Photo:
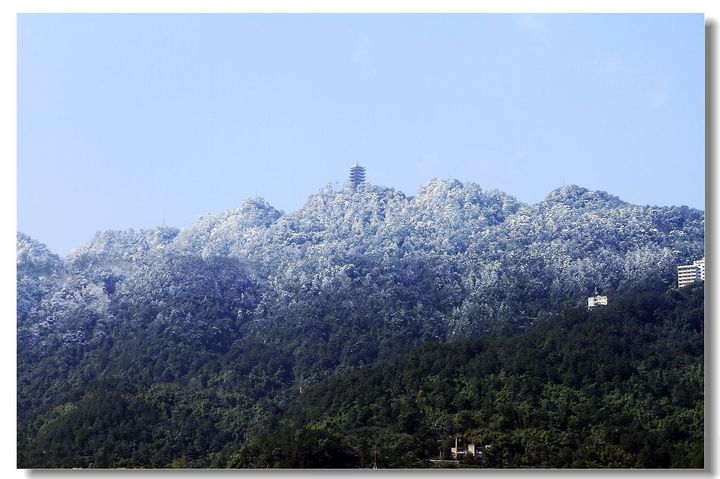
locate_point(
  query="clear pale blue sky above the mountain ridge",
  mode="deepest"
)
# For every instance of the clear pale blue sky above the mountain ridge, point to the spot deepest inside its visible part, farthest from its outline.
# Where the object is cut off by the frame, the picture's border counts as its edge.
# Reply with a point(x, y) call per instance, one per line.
point(124, 120)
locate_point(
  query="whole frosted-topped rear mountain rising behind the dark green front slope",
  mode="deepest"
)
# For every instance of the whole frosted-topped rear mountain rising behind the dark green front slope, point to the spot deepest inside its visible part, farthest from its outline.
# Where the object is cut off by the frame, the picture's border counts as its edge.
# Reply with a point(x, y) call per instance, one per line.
point(175, 346)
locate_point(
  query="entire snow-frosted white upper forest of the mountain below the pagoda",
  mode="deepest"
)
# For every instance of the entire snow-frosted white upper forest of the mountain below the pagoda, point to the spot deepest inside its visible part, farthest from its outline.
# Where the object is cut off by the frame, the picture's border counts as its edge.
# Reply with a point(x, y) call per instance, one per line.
point(468, 252)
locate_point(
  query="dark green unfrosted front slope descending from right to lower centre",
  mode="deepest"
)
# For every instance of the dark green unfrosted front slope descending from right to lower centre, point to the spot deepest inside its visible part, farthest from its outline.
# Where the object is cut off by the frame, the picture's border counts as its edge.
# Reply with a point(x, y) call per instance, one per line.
point(617, 387)
